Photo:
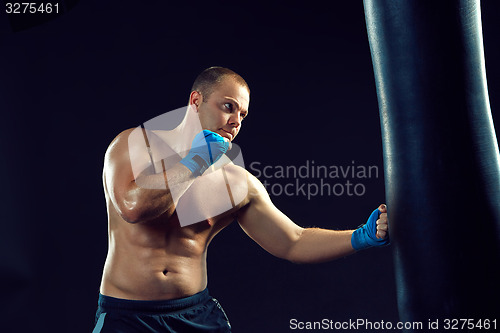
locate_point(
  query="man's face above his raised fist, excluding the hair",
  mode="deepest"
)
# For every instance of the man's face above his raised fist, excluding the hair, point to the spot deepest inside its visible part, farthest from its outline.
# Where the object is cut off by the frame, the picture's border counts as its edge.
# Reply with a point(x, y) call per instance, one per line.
point(224, 109)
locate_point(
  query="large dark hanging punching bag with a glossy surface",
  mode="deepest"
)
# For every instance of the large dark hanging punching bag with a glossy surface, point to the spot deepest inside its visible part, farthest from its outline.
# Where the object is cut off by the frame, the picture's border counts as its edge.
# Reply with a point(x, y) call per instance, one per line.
point(441, 158)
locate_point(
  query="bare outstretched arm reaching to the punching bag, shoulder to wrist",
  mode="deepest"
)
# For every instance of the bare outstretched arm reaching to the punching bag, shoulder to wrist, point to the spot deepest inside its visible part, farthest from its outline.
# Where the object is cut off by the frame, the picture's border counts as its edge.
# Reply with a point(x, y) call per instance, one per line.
point(280, 236)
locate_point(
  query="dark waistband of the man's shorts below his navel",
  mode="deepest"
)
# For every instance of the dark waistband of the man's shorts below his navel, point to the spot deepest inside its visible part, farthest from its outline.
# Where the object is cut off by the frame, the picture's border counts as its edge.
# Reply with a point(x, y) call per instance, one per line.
point(119, 304)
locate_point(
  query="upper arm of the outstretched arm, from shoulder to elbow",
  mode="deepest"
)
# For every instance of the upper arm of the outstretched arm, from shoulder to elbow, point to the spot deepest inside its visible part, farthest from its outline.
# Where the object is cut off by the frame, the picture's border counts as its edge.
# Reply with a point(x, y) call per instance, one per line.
point(266, 224)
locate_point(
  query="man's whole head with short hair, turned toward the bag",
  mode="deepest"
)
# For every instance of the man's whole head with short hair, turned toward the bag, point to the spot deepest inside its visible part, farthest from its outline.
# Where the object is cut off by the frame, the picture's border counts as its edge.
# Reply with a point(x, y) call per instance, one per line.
point(221, 98)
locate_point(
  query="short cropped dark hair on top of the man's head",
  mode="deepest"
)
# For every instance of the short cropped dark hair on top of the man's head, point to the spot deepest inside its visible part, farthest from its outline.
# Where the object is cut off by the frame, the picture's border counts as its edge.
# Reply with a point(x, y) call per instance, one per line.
point(211, 77)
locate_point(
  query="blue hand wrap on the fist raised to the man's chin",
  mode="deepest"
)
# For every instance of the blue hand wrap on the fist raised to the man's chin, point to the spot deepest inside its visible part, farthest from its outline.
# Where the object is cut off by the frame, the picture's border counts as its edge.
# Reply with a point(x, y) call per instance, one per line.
point(206, 149)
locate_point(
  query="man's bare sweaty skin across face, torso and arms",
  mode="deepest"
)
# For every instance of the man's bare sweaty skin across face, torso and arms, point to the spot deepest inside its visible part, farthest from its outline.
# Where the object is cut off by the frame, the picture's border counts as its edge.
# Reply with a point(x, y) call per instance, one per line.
point(150, 257)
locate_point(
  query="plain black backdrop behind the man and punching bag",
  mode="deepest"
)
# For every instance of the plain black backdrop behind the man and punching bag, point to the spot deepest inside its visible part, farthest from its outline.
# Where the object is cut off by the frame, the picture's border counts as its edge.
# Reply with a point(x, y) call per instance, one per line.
point(71, 84)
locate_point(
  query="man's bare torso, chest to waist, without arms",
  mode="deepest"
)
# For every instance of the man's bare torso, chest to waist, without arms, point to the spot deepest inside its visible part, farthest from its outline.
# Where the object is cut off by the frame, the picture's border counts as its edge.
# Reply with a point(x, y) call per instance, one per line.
point(159, 259)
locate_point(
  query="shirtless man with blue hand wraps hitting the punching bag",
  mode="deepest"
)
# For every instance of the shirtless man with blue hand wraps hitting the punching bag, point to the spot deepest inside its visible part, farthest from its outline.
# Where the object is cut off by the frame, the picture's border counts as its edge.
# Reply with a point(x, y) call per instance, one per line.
point(155, 275)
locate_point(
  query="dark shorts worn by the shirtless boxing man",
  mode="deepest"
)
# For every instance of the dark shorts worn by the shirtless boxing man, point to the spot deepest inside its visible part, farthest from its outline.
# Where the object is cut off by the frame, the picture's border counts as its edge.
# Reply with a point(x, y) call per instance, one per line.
point(197, 313)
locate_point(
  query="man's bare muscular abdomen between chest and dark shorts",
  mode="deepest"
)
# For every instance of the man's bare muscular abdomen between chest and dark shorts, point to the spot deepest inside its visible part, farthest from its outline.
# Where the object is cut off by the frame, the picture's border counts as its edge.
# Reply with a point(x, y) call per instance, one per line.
point(157, 260)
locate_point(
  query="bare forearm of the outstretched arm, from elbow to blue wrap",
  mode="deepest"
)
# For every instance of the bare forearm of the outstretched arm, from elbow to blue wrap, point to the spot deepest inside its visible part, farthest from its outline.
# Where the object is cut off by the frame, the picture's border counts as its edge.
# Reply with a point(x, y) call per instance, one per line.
point(319, 245)
